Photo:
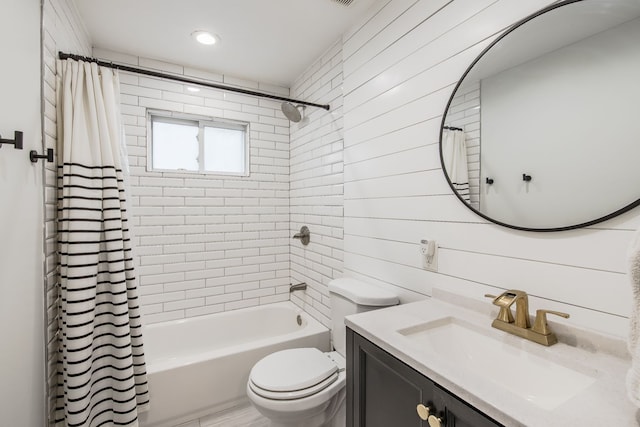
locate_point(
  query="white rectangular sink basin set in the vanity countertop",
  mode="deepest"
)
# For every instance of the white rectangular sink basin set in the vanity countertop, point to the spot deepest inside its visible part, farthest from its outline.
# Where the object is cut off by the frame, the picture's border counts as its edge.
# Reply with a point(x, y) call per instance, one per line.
point(539, 380)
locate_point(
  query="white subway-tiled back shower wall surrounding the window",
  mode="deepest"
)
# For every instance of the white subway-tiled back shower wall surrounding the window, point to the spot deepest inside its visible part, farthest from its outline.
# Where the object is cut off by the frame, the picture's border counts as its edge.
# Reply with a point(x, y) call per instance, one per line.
point(207, 243)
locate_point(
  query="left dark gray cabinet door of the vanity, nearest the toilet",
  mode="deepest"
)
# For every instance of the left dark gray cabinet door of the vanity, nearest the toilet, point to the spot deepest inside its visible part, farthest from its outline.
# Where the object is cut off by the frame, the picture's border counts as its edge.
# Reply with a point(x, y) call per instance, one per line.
point(381, 390)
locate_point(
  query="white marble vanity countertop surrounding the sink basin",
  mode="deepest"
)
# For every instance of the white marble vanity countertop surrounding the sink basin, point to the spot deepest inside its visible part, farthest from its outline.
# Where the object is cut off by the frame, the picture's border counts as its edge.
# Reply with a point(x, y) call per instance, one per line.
point(604, 358)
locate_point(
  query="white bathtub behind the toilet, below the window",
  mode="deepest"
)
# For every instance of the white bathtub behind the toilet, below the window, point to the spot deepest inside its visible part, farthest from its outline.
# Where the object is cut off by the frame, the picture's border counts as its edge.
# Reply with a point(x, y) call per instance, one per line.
point(201, 365)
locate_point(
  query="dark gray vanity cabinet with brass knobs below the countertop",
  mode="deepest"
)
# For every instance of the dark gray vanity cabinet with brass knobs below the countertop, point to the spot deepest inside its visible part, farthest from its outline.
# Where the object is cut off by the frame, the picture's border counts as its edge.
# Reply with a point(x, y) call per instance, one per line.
point(383, 391)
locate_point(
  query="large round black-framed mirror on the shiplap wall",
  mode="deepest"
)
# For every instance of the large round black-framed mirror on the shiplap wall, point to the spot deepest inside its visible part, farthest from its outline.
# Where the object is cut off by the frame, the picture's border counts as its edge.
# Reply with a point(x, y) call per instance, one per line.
point(539, 134)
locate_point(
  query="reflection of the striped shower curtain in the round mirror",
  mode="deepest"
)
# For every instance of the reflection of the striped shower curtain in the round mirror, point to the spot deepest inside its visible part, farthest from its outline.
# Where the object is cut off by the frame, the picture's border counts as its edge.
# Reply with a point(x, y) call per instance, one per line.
point(454, 154)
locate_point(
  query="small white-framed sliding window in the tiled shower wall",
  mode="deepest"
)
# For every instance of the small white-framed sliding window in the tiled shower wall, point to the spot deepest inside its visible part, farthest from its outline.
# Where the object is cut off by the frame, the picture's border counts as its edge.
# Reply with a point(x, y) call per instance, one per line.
point(204, 146)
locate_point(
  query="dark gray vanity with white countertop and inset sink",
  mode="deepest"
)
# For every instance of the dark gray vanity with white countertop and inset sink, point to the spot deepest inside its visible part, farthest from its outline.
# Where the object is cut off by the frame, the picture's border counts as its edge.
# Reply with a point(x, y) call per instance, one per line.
point(446, 358)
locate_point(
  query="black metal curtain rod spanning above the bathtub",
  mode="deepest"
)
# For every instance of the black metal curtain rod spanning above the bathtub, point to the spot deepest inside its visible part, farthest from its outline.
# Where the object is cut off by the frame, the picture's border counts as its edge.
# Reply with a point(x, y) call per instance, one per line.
point(151, 73)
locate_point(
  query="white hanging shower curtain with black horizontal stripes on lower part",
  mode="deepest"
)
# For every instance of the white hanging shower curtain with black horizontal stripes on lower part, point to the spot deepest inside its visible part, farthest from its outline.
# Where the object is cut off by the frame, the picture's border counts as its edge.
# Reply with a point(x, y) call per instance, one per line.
point(101, 370)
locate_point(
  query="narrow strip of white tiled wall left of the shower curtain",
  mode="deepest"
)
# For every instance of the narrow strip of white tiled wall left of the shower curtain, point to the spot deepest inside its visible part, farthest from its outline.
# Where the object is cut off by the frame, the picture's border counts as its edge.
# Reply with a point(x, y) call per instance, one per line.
point(62, 31)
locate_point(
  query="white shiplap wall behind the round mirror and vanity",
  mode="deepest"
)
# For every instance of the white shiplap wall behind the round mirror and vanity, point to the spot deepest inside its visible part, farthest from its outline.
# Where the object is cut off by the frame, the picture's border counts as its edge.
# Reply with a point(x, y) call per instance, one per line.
point(400, 67)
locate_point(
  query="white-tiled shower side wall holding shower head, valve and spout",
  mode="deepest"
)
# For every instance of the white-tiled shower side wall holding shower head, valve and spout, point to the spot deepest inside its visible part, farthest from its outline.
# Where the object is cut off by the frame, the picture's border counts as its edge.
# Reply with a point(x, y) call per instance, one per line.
point(316, 176)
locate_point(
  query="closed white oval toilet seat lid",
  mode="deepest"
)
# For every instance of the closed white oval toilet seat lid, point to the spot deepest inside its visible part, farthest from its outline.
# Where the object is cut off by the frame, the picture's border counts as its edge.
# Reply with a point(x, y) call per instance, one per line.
point(294, 369)
